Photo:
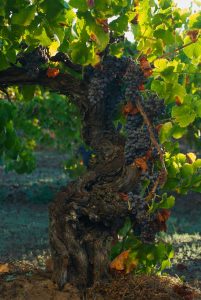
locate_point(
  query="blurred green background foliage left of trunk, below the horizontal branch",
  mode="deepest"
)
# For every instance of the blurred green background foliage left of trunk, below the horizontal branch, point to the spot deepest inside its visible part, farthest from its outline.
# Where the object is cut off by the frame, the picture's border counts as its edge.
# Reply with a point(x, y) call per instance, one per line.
point(32, 122)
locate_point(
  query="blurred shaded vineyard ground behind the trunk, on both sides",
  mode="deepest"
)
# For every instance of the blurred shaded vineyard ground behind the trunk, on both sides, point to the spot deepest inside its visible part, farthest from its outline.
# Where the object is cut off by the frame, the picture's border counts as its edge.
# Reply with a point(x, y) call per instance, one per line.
point(24, 203)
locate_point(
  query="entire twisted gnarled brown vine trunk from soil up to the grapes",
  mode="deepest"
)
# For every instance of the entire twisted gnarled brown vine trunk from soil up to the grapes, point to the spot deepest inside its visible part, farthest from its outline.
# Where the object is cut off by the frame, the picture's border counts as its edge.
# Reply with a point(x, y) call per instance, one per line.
point(86, 215)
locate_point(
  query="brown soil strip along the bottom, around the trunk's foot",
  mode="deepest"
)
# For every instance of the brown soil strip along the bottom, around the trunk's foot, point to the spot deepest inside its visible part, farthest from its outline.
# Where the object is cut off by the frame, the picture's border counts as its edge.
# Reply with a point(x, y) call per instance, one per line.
point(40, 287)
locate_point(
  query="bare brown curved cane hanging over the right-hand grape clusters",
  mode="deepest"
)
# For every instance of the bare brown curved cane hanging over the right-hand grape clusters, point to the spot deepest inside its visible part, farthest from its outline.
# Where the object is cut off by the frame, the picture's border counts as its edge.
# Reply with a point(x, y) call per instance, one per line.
point(163, 173)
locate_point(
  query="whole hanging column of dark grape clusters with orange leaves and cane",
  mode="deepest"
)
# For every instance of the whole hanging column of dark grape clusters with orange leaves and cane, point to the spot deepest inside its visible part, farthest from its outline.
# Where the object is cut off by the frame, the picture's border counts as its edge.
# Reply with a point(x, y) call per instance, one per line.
point(117, 81)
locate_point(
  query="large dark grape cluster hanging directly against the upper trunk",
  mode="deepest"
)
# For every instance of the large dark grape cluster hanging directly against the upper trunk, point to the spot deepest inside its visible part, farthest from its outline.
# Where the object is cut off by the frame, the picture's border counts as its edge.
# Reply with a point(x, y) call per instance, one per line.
point(105, 92)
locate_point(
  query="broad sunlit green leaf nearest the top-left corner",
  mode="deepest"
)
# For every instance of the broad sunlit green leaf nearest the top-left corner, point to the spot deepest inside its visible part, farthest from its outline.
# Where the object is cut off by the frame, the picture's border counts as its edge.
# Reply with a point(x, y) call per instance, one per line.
point(25, 16)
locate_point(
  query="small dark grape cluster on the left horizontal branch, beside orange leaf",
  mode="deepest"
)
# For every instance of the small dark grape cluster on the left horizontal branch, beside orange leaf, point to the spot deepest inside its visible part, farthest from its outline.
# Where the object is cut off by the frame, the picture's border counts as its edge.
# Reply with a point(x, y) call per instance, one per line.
point(33, 60)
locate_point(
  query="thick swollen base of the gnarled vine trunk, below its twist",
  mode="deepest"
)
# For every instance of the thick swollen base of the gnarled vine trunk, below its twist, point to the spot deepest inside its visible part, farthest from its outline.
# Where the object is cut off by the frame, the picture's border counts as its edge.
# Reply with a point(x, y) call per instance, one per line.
point(82, 229)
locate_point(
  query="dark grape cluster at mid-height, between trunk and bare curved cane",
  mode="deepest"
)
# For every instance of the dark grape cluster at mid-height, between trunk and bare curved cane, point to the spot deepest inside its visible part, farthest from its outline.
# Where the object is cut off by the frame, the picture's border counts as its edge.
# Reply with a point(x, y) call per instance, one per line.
point(138, 140)
